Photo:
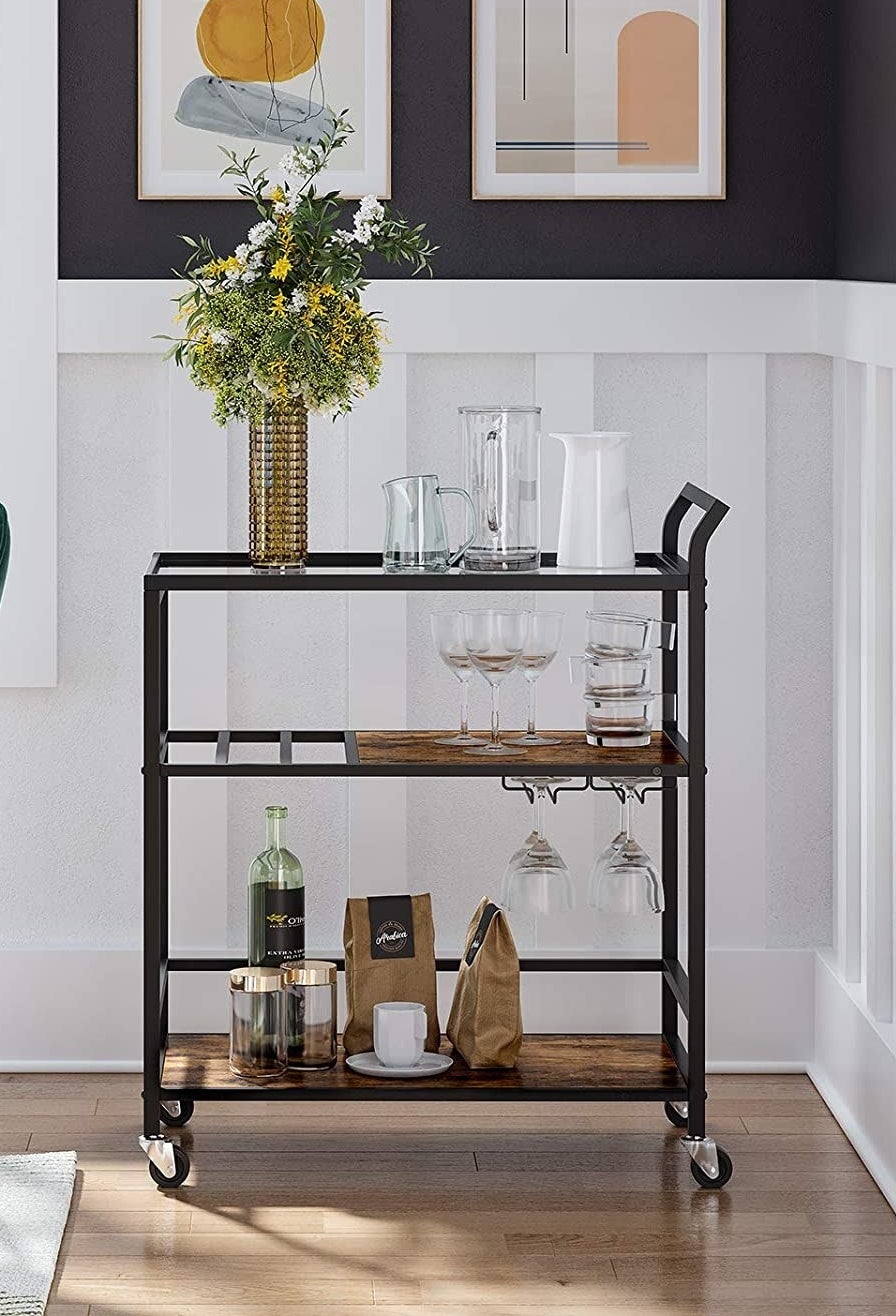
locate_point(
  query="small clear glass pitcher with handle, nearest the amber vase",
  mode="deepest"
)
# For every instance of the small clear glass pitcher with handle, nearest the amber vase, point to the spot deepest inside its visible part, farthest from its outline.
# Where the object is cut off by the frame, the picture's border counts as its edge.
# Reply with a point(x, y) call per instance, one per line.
point(416, 531)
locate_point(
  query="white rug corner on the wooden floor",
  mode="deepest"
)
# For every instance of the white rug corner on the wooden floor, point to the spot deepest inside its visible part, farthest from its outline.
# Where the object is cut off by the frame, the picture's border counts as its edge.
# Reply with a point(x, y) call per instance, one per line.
point(35, 1200)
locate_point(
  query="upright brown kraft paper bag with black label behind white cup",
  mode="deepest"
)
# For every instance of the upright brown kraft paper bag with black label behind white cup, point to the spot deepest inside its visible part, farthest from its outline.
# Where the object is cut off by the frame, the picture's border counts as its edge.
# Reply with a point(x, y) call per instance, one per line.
point(390, 955)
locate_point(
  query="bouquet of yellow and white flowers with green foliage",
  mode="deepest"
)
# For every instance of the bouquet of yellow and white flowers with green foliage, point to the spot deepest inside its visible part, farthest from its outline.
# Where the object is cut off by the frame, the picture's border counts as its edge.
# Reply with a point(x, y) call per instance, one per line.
point(280, 322)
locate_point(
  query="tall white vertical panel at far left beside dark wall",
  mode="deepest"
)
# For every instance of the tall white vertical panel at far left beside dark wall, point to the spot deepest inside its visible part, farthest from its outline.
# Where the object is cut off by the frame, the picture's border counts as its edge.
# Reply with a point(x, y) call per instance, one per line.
point(28, 361)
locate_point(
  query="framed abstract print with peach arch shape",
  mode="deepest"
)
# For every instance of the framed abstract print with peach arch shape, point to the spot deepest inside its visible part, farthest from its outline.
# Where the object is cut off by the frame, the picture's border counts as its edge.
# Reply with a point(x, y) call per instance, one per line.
point(582, 99)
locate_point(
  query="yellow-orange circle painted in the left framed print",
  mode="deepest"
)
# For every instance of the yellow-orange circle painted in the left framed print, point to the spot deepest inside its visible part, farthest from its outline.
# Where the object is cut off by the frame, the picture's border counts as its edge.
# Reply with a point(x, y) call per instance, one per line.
point(260, 40)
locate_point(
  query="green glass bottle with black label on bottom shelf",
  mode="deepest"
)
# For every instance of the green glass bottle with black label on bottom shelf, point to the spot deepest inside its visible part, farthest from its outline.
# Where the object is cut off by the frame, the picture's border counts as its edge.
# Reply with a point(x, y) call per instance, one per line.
point(277, 898)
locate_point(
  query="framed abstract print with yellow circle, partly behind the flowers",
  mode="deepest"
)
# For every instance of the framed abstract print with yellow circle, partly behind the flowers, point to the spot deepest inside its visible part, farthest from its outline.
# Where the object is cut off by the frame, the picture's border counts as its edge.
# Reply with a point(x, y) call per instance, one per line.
point(262, 74)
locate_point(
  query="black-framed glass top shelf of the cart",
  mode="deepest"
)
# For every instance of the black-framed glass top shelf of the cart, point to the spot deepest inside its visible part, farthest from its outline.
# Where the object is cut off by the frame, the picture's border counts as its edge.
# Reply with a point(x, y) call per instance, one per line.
point(362, 572)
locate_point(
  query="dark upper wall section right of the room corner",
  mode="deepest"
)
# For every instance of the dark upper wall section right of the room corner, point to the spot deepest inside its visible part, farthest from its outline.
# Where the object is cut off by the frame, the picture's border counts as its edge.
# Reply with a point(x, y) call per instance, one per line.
point(866, 140)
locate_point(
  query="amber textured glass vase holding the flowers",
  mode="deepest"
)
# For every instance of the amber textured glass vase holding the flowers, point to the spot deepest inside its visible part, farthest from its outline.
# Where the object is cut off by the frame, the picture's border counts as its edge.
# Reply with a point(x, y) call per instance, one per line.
point(278, 488)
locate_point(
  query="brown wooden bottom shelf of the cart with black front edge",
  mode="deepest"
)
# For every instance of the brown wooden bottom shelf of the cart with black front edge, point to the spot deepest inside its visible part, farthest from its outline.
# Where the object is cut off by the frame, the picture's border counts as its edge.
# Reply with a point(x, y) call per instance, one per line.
point(614, 1068)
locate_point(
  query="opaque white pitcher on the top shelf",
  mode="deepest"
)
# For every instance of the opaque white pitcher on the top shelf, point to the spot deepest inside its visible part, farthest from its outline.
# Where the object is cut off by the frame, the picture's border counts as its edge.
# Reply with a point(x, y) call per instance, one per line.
point(595, 514)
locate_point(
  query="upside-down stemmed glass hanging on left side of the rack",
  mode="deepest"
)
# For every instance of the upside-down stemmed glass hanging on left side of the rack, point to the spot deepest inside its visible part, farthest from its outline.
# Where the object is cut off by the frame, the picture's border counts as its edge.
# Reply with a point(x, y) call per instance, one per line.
point(537, 880)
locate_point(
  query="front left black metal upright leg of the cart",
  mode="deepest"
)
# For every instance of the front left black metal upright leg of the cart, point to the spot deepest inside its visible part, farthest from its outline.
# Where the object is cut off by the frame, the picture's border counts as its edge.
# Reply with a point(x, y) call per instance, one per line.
point(155, 956)
